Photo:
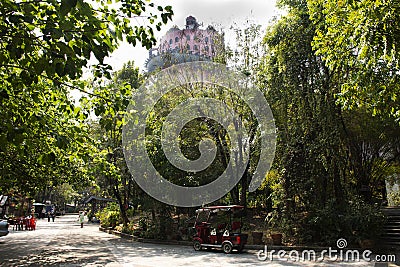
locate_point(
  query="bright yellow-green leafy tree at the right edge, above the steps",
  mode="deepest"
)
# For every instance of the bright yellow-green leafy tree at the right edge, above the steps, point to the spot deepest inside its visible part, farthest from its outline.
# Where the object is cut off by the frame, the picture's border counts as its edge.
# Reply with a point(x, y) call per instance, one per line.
point(359, 40)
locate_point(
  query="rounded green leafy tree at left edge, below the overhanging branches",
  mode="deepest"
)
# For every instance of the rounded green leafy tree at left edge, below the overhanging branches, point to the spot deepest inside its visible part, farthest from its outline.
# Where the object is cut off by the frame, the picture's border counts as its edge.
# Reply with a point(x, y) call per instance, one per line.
point(42, 140)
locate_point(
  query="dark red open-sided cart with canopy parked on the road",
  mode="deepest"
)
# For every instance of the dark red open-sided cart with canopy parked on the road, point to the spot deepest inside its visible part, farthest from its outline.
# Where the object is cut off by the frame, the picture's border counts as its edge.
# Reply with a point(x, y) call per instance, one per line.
point(219, 227)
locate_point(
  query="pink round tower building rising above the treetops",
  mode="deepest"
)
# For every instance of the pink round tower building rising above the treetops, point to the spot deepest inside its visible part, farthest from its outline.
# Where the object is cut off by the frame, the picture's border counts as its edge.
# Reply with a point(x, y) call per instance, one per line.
point(186, 45)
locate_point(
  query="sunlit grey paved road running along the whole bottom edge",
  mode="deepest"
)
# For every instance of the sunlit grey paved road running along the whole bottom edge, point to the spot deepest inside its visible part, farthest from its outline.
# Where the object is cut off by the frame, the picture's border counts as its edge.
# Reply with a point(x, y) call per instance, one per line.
point(64, 243)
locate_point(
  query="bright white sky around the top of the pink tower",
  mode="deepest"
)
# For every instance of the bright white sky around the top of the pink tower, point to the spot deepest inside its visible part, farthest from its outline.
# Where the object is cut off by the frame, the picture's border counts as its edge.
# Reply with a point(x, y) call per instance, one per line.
point(222, 13)
